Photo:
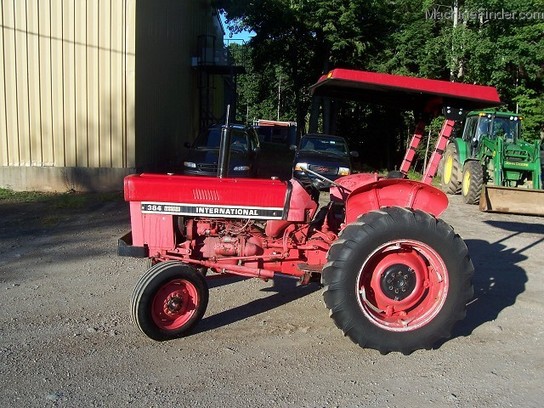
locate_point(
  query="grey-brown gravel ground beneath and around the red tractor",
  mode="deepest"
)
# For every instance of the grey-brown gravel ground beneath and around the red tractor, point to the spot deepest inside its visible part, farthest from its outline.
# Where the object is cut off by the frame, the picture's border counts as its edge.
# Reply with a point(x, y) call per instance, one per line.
point(67, 340)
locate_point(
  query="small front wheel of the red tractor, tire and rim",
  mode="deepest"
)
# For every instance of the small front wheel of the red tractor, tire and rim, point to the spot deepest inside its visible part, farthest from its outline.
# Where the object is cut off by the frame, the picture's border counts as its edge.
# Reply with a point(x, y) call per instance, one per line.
point(169, 299)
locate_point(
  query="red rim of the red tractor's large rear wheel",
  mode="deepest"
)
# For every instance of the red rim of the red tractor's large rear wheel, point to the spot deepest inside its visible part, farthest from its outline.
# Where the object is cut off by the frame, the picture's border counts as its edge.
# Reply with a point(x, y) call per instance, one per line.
point(402, 285)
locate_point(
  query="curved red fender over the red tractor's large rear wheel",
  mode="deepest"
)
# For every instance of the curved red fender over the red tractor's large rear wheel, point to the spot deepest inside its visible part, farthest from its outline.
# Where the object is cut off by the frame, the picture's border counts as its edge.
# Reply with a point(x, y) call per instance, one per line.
point(395, 192)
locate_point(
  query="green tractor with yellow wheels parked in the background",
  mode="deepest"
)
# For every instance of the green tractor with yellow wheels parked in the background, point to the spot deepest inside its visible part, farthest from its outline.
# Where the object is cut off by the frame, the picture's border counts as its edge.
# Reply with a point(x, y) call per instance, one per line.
point(491, 154)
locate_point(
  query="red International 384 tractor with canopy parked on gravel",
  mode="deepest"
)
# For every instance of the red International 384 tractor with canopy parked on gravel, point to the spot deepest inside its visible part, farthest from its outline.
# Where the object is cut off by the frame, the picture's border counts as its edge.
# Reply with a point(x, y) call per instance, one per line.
point(395, 277)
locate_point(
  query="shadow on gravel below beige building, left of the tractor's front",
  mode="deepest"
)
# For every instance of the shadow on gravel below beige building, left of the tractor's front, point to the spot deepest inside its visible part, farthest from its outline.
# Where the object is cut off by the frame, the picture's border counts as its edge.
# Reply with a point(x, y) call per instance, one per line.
point(56, 229)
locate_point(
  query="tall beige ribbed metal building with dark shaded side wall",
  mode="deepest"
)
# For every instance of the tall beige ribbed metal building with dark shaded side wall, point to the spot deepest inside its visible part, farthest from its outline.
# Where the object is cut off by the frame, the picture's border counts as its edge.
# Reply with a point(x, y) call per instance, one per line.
point(92, 90)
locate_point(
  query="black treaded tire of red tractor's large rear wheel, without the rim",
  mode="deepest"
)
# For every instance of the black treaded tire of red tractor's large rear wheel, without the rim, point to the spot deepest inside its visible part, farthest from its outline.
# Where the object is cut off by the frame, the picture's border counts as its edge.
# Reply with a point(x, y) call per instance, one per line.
point(418, 227)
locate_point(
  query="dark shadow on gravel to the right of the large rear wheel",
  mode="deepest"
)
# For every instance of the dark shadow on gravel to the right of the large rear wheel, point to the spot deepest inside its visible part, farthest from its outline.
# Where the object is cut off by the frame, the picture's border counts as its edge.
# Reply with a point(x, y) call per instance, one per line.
point(497, 278)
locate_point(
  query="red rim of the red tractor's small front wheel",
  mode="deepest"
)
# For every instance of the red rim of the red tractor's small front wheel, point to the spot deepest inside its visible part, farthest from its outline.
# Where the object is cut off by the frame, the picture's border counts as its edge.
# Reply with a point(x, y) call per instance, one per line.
point(174, 304)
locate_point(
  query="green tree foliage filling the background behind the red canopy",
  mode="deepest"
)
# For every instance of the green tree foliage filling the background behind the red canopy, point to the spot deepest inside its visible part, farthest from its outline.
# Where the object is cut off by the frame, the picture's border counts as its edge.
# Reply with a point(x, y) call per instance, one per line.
point(493, 42)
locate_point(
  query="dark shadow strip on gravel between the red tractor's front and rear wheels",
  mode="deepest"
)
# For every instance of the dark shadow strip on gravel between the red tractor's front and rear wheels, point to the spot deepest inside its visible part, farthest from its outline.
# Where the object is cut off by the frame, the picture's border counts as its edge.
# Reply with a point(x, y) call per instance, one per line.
point(286, 291)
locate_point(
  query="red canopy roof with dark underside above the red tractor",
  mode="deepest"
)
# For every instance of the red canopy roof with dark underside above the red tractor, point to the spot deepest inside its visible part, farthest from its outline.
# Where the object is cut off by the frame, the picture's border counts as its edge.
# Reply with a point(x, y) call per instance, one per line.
point(404, 92)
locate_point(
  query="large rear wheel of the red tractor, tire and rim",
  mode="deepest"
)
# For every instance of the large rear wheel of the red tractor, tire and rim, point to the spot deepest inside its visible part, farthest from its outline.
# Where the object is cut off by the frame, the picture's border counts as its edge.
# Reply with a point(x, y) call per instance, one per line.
point(397, 280)
